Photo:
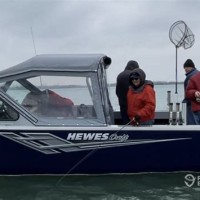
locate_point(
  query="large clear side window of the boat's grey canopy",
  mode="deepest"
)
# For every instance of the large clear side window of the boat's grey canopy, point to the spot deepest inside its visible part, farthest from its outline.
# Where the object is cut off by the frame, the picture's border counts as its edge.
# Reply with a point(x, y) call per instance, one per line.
point(57, 97)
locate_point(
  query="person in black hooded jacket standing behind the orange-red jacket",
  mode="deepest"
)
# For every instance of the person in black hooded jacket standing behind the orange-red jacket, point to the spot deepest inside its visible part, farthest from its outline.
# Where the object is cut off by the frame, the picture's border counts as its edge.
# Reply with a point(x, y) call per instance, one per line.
point(122, 87)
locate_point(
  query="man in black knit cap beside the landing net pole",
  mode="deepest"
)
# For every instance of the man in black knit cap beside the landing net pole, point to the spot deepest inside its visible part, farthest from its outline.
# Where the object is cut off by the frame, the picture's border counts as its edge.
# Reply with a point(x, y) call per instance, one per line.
point(190, 70)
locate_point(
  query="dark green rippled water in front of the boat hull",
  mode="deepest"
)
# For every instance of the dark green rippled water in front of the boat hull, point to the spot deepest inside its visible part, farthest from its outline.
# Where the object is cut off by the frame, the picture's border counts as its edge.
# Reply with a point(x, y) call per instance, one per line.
point(168, 186)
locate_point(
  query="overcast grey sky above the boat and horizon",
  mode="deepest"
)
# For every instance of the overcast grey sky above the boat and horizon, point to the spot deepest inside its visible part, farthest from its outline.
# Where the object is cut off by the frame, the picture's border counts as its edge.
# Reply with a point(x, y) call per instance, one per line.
point(123, 29)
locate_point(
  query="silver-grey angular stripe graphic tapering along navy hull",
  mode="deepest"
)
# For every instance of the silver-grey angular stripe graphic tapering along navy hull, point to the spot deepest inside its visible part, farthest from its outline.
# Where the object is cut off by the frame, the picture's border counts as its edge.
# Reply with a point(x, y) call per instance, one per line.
point(48, 143)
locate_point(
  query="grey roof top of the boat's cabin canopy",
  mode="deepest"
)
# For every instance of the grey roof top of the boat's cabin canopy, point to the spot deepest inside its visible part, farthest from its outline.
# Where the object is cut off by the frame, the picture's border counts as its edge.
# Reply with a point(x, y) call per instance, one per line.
point(55, 62)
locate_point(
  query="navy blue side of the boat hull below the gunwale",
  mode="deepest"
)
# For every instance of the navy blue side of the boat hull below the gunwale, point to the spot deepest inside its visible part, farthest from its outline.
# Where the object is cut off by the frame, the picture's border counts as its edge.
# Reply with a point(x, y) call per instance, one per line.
point(149, 151)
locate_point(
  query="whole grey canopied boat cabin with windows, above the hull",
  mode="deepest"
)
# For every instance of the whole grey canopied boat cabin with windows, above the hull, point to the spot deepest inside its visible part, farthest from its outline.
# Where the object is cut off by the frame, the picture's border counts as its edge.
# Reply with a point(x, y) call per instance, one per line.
point(63, 90)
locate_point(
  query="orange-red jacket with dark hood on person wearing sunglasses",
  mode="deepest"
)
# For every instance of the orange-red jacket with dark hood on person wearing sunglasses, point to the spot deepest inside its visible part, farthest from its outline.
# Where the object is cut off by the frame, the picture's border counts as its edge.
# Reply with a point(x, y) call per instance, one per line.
point(141, 100)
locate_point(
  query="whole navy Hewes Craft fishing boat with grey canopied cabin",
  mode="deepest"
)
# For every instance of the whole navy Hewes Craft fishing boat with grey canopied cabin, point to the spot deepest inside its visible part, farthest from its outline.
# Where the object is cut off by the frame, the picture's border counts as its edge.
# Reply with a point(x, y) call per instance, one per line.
point(56, 117)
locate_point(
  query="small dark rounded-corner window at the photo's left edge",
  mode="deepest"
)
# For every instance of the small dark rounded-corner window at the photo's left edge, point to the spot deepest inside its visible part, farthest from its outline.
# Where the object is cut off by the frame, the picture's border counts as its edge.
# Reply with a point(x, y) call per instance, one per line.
point(7, 113)
